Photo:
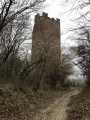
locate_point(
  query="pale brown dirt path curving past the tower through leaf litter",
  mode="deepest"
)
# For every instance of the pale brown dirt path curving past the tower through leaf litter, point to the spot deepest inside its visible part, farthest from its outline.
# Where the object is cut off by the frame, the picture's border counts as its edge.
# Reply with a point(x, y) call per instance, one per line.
point(56, 110)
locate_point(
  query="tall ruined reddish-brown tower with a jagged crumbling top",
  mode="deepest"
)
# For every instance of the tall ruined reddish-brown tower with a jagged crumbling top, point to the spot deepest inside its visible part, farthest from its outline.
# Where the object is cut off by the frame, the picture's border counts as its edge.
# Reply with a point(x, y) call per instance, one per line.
point(45, 44)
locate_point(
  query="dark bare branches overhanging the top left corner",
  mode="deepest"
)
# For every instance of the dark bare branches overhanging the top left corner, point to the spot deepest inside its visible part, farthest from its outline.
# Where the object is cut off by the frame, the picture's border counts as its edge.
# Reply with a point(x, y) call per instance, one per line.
point(10, 9)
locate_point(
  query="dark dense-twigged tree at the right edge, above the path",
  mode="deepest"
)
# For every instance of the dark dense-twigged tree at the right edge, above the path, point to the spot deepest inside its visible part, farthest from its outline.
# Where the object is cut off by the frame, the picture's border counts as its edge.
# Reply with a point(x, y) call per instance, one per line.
point(82, 51)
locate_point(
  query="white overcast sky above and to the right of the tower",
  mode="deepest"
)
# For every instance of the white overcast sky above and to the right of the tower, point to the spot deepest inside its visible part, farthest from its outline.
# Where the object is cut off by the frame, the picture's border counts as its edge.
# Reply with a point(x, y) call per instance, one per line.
point(57, 9)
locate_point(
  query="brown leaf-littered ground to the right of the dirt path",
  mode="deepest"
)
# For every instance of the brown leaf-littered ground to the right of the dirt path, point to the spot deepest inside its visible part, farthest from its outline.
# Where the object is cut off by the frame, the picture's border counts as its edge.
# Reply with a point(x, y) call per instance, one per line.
point(80, 105)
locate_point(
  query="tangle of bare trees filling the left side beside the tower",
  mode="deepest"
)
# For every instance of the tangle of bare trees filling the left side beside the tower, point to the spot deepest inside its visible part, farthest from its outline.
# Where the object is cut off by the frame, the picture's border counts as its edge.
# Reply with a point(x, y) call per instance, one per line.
point(14, 30)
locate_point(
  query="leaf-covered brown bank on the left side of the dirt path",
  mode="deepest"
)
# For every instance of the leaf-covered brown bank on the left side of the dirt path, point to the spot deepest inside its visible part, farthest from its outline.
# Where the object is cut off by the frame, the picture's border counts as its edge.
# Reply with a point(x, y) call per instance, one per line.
point(17, 103)
